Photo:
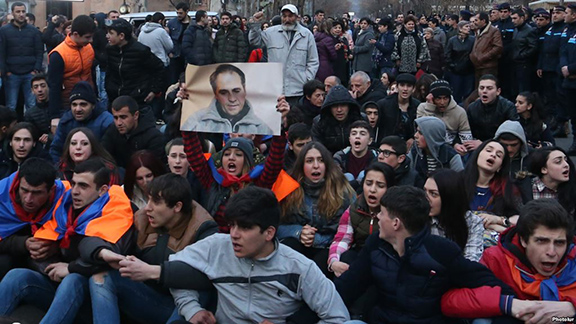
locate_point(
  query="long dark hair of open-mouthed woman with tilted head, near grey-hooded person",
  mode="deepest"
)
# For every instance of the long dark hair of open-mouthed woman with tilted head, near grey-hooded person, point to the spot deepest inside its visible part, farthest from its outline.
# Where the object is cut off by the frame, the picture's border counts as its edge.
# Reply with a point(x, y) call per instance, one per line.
point(501, 187)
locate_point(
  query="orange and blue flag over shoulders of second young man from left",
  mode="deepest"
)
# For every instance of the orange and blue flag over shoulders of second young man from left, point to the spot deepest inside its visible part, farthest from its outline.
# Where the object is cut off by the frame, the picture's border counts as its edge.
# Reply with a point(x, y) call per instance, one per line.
point(108, 217)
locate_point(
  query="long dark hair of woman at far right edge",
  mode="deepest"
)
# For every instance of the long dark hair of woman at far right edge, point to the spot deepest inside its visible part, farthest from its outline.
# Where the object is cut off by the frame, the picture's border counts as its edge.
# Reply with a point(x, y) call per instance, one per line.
point(566, 190)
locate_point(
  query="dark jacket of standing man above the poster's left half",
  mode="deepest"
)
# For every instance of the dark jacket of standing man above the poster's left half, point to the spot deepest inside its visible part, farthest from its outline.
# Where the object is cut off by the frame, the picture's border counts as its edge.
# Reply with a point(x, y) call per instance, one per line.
point(197, 45)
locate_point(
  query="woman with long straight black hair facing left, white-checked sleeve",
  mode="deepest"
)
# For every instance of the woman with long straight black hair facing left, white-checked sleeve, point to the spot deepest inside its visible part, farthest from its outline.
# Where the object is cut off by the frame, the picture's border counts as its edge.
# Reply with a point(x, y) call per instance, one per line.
point(450, 213)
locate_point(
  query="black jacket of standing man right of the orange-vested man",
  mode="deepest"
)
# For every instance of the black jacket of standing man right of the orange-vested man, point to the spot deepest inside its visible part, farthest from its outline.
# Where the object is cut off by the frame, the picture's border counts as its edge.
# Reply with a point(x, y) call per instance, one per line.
point(134, 71)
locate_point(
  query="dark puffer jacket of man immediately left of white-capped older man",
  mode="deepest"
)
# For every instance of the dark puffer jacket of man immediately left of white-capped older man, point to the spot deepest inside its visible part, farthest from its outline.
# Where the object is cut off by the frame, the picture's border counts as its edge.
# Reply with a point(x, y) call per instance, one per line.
point(230, 46)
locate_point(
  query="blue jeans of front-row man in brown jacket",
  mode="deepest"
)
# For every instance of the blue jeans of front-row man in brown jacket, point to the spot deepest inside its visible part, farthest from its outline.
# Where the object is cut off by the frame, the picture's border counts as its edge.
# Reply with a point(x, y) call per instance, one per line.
point(111, 292)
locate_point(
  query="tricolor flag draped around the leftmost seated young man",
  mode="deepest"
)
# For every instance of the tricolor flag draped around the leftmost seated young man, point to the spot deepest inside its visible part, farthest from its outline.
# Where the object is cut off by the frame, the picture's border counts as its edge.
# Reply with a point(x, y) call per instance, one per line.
point(13, 217)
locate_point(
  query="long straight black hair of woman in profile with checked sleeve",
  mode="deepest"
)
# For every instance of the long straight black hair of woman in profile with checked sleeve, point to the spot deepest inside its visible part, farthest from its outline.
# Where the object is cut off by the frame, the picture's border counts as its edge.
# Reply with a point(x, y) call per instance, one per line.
point(452, 217)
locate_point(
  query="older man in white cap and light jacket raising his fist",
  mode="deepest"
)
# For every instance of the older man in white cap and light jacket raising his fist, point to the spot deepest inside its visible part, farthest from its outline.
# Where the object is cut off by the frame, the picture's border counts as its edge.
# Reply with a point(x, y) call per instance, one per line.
point(285, 43)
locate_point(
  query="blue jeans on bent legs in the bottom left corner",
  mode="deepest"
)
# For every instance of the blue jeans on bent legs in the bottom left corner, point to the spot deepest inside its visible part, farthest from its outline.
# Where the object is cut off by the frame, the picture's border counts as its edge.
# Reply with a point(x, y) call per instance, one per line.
point(61, 301)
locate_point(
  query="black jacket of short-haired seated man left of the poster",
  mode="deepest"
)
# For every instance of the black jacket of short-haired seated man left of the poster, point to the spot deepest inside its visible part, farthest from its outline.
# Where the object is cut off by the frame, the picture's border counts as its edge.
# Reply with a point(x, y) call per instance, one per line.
point(144, 137)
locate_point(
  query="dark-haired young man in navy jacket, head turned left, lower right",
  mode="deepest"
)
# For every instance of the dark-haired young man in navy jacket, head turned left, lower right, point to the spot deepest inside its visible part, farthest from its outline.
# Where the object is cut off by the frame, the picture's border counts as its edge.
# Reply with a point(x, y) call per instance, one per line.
point(410, 267)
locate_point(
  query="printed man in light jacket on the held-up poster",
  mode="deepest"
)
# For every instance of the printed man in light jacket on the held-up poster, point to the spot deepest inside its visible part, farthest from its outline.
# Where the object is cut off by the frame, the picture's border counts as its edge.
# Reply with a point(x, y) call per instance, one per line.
point(229, 111)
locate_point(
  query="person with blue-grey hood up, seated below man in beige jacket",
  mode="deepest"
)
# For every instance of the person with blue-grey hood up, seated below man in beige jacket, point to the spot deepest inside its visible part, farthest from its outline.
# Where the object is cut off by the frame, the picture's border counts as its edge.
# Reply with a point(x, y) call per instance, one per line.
point(430, 152)
